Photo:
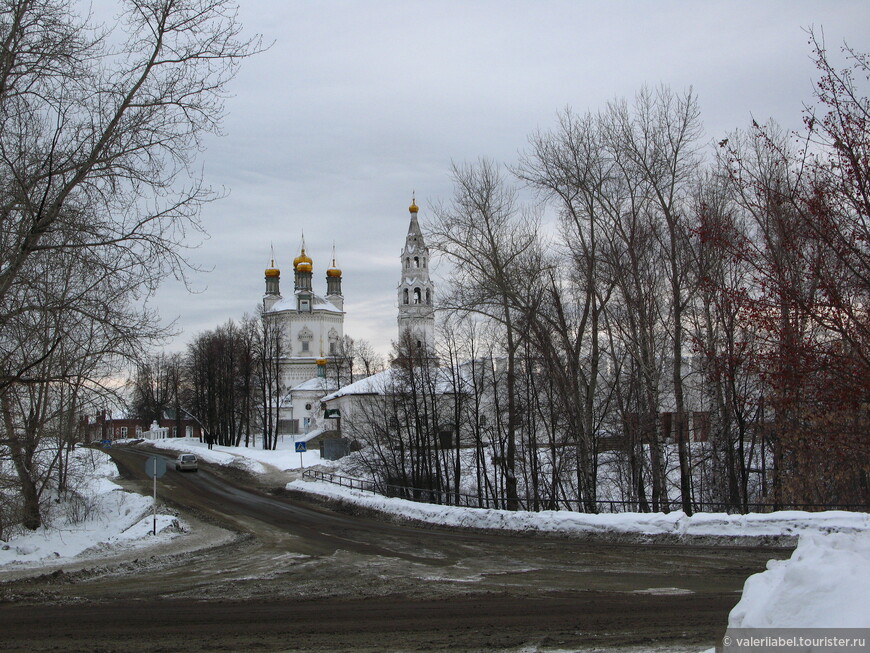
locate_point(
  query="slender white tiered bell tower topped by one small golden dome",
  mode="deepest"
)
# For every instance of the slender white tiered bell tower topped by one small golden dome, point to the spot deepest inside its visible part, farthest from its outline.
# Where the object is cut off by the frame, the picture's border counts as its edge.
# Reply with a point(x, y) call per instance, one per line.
point(416, 291)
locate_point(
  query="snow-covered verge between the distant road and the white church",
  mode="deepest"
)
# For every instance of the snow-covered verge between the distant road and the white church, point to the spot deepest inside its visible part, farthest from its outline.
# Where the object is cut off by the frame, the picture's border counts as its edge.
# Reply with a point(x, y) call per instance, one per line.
point(251, 459)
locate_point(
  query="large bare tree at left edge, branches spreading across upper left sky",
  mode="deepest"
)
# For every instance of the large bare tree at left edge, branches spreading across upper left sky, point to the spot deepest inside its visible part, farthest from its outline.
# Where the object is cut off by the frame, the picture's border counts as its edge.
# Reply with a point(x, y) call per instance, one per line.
point(97, 190)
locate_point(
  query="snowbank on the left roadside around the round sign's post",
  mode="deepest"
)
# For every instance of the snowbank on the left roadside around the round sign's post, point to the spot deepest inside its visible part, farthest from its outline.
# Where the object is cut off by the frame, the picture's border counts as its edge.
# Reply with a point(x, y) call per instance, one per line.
point(99, 517)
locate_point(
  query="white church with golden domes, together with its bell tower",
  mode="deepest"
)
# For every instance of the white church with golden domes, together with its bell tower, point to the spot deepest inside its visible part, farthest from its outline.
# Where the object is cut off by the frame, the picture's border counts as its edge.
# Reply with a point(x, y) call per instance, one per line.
point(312, 328)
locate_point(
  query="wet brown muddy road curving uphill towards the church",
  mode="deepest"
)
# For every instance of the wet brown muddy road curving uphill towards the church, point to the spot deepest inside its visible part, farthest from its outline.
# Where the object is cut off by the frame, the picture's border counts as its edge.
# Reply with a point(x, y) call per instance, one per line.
point(288, 574)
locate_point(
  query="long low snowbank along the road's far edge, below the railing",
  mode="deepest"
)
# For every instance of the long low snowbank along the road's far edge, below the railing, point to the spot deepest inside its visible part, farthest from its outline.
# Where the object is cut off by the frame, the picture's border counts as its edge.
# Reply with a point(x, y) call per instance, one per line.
point(564, 522)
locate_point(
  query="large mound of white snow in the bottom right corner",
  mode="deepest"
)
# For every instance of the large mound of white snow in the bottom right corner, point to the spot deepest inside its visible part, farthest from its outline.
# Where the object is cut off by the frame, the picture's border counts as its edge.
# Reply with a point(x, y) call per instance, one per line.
point(823, 585)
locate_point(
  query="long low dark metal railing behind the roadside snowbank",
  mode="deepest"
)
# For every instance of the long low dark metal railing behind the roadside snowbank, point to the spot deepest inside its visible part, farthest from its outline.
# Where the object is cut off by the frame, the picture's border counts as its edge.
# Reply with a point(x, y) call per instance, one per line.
point(443, 497)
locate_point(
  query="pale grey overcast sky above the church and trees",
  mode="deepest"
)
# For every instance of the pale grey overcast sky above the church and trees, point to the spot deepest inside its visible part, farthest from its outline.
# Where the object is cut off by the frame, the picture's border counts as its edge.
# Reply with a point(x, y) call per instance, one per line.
point(357, 104)
